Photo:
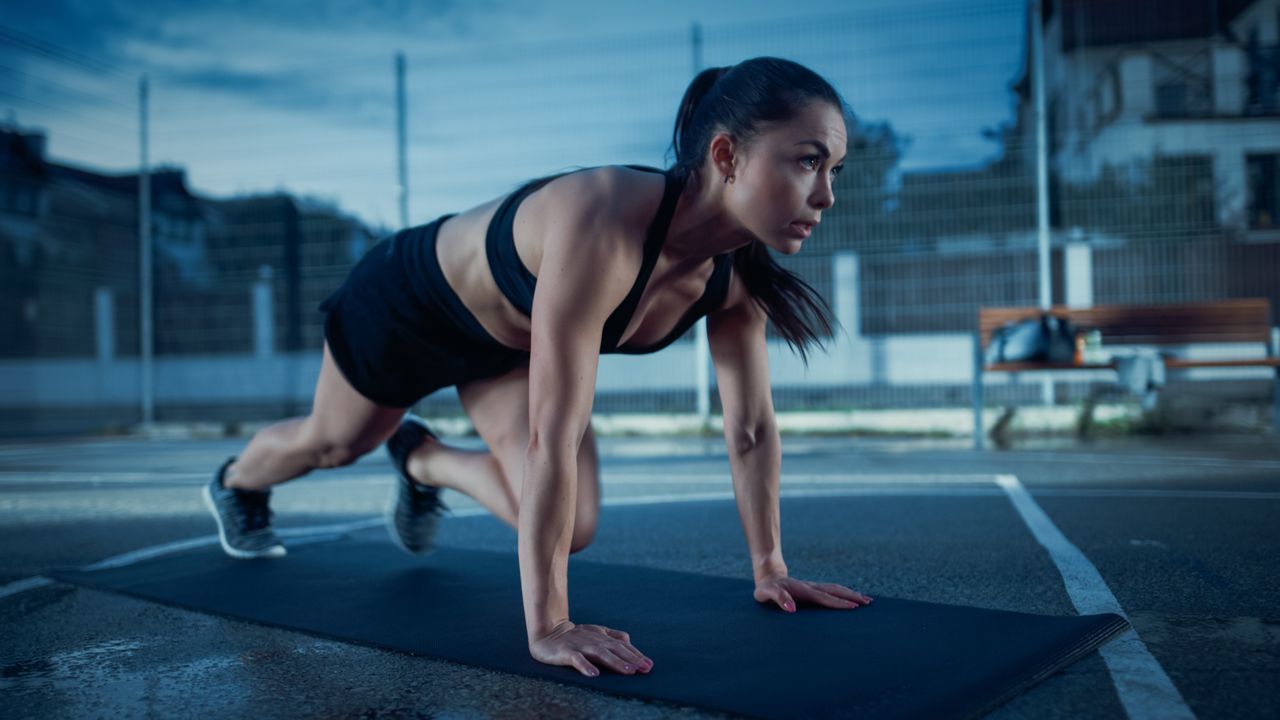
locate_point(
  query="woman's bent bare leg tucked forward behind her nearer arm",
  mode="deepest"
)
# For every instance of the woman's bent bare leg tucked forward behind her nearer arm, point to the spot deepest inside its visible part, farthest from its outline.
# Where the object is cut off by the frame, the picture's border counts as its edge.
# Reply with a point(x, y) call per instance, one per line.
point(499, 408)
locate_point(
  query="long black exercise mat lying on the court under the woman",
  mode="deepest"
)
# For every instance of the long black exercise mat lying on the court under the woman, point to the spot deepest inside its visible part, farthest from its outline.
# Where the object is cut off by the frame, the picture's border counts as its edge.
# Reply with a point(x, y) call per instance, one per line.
point(712, 645)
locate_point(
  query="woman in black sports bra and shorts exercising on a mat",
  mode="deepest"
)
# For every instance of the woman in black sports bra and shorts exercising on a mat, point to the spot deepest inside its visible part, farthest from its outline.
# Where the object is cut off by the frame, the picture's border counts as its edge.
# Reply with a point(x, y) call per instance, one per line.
point(624, 259)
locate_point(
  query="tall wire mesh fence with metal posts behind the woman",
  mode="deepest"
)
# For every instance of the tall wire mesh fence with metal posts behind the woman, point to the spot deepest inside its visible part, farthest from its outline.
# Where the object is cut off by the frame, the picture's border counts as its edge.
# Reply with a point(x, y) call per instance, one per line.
point(1160, 149)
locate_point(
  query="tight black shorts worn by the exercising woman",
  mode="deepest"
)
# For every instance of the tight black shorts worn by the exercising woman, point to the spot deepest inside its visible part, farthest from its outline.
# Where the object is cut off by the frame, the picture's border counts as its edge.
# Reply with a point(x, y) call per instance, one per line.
point(397, 330)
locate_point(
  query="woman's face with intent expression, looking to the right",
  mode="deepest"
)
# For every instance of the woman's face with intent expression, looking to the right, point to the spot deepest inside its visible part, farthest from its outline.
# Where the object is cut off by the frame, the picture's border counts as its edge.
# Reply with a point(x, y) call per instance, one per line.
point(783, 179)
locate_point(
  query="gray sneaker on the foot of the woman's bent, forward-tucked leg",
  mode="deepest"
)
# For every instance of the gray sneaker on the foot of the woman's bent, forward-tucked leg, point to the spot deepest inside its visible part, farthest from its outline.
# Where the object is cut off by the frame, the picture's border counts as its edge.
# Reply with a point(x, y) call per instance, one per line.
point(417, 509)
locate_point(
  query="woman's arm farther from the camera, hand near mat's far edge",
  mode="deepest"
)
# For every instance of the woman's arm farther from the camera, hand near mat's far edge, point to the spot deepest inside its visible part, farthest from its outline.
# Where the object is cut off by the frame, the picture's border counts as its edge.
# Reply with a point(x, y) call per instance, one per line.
point(740, 354)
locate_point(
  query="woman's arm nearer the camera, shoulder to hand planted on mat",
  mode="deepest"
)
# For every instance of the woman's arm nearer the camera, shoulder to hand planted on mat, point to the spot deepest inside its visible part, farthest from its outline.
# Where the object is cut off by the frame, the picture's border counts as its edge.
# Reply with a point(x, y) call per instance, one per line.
point(582, 280)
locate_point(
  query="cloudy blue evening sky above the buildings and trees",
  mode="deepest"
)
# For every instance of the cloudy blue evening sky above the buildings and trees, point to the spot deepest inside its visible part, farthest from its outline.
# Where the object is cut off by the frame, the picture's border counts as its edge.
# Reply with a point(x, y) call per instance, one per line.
point(300, 97)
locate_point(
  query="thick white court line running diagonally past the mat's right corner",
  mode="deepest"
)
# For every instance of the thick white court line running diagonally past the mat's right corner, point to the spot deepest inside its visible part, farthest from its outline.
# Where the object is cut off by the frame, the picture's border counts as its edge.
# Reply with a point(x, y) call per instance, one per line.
point(1145, 690)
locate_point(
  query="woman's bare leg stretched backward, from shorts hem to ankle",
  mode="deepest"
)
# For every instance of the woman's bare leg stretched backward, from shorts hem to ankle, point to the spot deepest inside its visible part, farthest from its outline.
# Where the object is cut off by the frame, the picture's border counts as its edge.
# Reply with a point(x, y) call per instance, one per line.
point(342, 427)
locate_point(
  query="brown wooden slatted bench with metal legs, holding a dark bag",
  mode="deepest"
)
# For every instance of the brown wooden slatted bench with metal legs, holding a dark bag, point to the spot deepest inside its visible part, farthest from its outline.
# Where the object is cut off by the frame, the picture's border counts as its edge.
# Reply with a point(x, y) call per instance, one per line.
point(1227, 321)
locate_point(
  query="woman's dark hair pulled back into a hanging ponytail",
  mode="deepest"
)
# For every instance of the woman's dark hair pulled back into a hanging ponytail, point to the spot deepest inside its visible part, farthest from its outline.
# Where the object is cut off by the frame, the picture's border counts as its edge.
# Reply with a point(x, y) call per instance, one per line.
point(742, 101)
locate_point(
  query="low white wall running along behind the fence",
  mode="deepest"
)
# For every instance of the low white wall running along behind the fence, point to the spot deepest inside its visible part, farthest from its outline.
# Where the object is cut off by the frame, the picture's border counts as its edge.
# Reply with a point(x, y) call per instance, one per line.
point(918, 359)
